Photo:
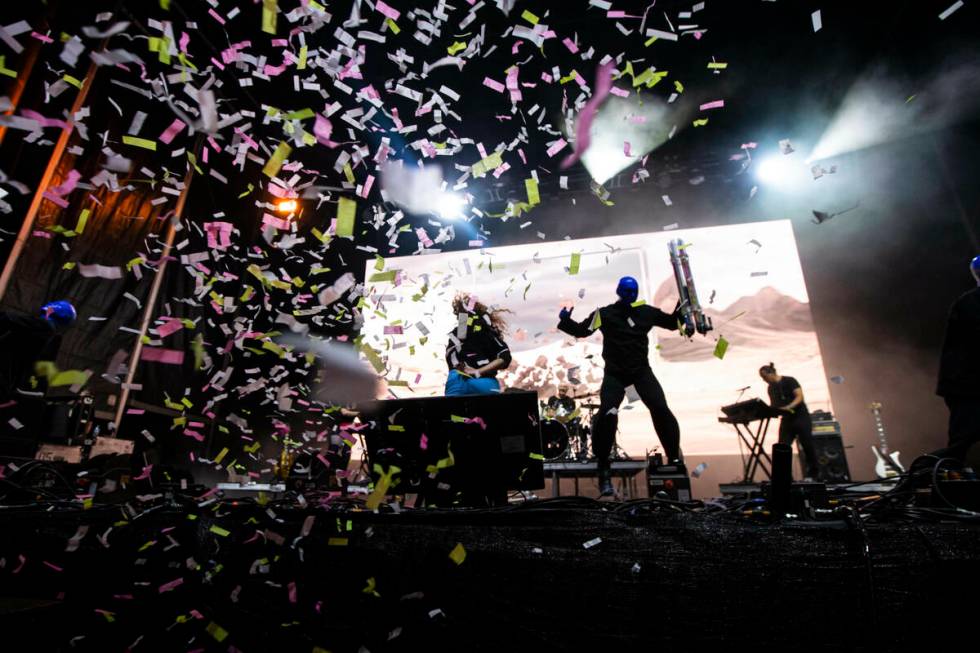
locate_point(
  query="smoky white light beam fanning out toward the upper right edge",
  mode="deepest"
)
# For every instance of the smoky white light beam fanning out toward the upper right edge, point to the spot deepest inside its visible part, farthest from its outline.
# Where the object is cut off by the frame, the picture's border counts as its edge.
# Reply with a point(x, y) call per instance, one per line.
point(882, 107)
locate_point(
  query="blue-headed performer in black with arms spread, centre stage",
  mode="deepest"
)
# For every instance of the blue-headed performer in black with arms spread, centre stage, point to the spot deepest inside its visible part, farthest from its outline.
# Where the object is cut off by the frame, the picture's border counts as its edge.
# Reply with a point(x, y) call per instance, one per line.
point(625, 350)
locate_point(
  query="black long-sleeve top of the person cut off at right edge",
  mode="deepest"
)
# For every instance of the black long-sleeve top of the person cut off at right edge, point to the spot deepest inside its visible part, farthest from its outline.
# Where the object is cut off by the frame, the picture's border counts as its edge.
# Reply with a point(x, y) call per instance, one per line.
point(959, 364)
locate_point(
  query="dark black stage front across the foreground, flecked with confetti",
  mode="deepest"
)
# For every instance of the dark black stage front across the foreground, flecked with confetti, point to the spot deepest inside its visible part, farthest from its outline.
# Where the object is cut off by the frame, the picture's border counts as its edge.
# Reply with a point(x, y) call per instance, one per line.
point(561, 574)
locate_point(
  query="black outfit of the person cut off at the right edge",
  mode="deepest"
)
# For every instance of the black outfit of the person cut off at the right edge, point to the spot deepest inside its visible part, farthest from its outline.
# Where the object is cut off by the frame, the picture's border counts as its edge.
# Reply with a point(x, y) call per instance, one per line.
point(959, 375)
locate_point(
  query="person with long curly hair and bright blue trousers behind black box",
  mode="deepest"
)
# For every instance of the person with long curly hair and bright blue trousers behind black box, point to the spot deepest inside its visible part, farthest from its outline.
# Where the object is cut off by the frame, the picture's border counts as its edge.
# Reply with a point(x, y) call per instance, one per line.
point(476, 349)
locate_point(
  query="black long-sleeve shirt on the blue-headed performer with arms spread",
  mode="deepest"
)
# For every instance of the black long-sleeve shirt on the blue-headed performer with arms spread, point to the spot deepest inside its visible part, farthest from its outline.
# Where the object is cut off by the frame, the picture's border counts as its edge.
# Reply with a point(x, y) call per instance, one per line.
point(624, 327)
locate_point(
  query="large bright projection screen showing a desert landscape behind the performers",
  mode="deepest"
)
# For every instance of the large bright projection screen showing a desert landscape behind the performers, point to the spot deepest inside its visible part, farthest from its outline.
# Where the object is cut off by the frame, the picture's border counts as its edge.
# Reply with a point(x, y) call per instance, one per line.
point(748, 277)
